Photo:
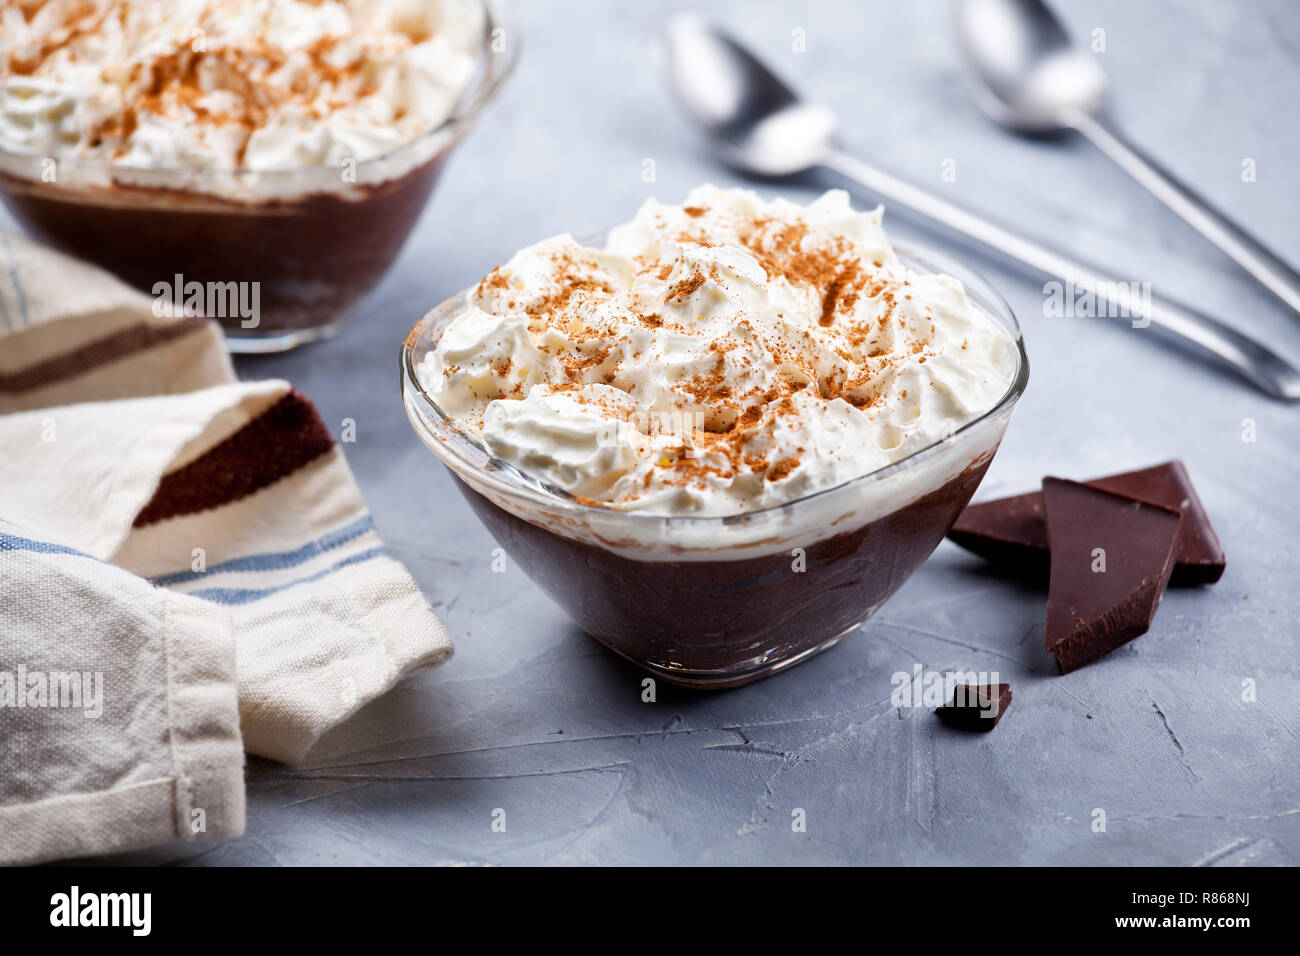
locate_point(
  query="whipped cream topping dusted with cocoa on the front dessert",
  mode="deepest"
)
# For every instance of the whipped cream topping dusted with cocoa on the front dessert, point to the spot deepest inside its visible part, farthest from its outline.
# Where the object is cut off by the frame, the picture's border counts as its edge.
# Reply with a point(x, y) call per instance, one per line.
point(718, 357)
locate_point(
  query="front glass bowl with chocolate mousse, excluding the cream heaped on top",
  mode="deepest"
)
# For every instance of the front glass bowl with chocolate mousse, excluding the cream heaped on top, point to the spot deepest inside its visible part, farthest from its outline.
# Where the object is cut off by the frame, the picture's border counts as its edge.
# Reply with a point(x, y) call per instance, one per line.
point(726, 600)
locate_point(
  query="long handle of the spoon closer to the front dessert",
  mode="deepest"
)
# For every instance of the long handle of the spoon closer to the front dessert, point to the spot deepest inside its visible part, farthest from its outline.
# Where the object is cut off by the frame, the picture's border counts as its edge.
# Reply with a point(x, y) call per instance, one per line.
point(1254, 362)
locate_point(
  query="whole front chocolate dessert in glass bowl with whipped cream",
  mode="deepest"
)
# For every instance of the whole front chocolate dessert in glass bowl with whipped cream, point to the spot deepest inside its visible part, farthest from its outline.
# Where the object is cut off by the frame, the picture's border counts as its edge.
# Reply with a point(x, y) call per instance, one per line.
point(723, 438)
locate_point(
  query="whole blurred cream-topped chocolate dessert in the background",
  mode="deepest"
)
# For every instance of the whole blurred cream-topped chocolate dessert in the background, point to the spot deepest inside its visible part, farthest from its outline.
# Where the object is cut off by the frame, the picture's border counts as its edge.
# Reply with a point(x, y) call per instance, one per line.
point(276, 150)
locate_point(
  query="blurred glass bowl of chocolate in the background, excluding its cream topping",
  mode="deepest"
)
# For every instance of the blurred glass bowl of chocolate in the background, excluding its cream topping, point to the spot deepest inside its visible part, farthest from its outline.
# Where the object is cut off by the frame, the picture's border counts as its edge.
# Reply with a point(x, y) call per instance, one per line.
point(280, 258)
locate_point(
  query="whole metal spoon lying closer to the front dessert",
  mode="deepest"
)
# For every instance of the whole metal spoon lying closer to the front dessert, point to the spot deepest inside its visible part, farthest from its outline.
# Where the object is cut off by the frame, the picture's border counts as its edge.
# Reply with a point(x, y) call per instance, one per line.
point(761, 127)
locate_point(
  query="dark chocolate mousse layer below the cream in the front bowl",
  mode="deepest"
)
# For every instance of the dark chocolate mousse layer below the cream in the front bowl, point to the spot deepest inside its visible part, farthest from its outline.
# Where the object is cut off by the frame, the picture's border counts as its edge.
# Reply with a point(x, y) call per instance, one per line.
point(725, 624)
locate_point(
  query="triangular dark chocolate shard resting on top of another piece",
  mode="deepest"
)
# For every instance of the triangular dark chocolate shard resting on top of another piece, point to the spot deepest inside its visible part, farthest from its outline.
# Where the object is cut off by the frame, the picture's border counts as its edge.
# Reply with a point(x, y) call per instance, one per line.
point(1112, 557)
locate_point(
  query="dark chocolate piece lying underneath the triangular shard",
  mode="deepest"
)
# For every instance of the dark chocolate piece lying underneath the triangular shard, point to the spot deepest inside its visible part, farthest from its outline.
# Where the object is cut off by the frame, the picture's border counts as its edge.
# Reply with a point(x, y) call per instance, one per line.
point(1011, 533)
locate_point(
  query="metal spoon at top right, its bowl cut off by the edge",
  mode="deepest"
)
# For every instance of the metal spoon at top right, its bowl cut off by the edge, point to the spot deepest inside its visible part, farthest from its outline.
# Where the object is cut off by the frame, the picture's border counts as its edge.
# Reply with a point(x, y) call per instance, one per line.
point(1030, 77)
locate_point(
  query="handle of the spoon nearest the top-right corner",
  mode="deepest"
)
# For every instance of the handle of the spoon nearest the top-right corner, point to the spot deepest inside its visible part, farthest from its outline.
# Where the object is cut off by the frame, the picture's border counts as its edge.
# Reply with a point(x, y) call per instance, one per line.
point(1273, 274)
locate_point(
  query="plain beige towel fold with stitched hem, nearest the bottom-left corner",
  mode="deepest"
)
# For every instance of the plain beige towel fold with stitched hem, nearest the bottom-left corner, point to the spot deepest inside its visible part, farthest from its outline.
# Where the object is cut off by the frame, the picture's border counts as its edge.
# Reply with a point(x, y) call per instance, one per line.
point(118, 704)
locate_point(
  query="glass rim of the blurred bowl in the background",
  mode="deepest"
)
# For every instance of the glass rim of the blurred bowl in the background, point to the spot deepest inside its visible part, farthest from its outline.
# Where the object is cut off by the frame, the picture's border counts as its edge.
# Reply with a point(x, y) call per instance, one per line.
point(491, 77)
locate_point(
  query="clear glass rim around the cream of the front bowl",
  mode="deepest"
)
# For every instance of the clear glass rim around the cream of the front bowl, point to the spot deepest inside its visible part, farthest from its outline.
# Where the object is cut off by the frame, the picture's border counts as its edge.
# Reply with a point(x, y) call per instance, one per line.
point(912, 254)
